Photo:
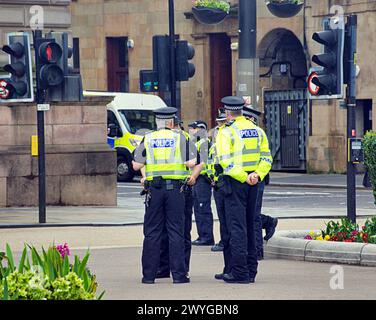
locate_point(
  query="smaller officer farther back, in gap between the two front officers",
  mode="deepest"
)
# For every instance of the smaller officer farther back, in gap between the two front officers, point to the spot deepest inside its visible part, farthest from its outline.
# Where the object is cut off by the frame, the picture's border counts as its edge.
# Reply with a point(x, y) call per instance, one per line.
point(202, 190)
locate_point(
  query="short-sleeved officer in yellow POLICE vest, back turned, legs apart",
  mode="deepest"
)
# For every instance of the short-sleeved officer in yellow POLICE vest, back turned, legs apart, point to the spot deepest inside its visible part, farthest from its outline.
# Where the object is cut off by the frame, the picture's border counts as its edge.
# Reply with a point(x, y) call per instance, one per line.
point(165, 155)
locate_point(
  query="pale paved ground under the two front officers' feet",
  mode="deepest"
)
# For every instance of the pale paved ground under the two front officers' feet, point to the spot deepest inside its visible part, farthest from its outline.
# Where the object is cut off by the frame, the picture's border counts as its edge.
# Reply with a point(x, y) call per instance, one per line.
point(119, 273)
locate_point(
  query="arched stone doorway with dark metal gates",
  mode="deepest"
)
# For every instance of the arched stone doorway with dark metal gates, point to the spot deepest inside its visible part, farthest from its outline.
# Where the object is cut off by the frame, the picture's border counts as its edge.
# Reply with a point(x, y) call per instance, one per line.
point(283, 74)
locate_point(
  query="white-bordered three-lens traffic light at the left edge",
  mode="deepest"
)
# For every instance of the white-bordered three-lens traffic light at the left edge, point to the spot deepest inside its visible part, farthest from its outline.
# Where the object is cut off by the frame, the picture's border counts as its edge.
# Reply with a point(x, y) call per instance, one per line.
point(18, 87)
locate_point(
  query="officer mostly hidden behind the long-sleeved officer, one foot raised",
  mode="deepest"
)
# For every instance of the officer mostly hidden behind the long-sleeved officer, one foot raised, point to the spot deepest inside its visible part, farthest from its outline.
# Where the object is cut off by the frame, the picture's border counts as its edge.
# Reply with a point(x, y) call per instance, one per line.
point(261, 221)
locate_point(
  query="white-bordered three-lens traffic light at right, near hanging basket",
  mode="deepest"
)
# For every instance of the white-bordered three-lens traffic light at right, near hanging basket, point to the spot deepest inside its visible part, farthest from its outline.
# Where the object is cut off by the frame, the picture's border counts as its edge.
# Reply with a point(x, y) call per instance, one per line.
point(329, 79)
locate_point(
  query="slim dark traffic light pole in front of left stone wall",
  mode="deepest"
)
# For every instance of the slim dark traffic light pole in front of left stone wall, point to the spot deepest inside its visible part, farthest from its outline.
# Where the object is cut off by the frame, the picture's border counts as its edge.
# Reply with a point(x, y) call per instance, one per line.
point(40, 99)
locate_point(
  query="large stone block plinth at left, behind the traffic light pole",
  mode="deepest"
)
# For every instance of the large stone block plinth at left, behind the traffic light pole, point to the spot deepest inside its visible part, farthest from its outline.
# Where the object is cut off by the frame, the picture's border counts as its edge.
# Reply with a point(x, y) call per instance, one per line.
point(80, 166)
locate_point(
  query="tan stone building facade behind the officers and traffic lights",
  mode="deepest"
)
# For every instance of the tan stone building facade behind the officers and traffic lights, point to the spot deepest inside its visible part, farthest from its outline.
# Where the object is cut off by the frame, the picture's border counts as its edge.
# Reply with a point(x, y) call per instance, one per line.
point(96, 22)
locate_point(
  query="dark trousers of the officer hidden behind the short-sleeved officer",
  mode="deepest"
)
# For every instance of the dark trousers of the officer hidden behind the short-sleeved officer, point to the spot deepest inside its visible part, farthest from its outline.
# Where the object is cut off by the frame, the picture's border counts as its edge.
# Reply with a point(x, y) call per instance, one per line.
point(164, 265)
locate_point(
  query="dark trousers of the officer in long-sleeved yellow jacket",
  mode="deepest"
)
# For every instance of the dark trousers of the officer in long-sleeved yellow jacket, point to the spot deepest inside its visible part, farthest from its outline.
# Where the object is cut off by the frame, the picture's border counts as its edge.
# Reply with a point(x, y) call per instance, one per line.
point(240, 217)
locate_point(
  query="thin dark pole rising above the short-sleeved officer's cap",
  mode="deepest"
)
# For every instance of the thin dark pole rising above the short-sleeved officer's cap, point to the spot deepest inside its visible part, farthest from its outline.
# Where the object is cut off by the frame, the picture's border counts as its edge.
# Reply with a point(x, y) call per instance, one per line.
point(171, 24)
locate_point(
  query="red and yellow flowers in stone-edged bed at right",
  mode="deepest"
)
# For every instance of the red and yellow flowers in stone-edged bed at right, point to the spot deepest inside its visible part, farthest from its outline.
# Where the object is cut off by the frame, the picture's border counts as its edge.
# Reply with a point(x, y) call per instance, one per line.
point(346, 231)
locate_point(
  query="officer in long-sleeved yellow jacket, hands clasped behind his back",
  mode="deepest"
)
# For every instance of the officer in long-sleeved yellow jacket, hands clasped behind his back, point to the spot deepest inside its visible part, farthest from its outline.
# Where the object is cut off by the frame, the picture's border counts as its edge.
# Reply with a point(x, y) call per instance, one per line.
point(242, 149)
